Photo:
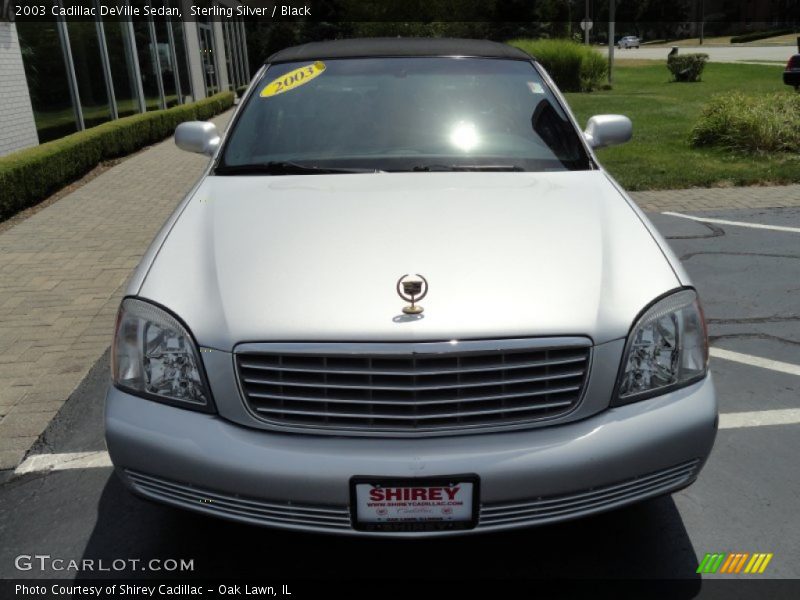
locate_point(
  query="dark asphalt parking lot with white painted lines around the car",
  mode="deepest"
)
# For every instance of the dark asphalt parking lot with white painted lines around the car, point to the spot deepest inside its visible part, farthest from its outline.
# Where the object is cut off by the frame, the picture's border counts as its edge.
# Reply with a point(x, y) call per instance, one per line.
point(744, 501)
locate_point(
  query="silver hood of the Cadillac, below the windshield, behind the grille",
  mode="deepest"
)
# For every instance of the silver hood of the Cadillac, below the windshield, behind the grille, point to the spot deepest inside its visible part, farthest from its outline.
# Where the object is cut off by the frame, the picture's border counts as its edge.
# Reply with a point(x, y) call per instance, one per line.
point(317, 258)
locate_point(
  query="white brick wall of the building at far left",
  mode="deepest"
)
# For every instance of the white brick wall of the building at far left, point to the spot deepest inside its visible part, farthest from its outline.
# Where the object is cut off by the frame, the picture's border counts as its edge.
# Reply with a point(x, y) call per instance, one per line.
point(17, 127)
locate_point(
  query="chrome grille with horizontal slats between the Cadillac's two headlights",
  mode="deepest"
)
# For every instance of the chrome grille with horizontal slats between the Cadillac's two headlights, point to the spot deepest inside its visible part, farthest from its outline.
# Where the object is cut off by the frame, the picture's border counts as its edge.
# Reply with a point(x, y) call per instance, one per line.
point(413, 388)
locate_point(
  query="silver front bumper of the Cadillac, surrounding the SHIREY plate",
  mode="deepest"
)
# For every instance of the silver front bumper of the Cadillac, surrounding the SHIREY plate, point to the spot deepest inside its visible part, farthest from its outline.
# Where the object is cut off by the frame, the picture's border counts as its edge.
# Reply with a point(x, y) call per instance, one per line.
point(207, 464)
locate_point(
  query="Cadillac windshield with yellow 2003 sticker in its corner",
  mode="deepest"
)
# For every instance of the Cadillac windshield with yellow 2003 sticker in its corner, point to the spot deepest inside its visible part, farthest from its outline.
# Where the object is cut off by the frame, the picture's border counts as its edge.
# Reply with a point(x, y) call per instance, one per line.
point(402, 114)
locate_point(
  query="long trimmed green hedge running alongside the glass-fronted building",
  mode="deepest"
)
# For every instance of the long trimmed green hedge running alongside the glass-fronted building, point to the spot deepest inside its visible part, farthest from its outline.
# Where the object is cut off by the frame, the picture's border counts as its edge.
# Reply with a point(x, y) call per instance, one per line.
point(27, 177)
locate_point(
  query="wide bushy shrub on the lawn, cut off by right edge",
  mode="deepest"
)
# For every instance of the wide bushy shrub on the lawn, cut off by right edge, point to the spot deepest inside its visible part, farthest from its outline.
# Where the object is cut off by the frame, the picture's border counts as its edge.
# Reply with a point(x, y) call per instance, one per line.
point(753, 124)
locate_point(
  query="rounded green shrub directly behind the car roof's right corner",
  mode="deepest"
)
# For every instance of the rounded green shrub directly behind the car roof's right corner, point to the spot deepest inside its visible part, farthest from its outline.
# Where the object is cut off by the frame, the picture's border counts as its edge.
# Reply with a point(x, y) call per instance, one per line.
point(574, 67)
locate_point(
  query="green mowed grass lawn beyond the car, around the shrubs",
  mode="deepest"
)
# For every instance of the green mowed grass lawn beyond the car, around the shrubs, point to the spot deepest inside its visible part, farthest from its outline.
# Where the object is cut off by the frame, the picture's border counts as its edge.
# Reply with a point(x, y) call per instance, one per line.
point(663, 113)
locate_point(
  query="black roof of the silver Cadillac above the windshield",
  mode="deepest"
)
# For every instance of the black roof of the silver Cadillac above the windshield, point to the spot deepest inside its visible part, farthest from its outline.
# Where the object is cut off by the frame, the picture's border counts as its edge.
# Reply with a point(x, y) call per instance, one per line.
point(396, 47)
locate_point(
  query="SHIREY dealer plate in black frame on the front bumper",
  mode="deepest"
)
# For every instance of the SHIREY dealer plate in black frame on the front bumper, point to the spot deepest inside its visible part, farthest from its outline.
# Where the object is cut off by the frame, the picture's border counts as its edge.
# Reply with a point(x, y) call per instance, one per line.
point(414, 505)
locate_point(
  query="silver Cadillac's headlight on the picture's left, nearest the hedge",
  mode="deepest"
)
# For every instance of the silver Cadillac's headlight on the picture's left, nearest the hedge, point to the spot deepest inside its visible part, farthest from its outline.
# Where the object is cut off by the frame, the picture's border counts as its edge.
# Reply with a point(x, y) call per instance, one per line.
point(153, 355)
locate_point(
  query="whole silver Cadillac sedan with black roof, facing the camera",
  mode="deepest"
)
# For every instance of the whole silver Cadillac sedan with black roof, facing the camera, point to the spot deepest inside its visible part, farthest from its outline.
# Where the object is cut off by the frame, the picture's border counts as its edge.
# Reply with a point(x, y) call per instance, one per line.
point(405, 299)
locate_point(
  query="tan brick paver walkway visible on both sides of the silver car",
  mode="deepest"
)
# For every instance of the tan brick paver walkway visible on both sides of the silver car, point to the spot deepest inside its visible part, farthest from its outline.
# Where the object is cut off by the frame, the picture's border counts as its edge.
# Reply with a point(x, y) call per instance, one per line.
point(63, 270)
